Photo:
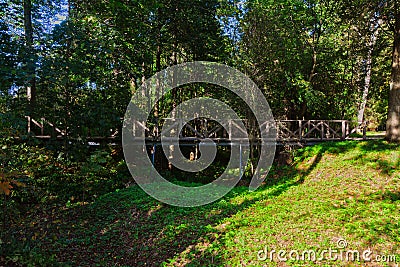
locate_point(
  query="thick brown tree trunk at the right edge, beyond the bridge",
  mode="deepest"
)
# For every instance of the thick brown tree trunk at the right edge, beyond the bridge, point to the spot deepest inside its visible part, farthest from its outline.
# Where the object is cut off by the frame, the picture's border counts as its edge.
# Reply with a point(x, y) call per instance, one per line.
point(393, 121)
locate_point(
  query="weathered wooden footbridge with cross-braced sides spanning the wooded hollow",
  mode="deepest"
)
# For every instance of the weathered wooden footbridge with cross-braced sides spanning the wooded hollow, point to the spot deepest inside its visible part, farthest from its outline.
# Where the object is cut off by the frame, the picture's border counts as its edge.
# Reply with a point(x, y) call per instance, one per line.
point(287, 131)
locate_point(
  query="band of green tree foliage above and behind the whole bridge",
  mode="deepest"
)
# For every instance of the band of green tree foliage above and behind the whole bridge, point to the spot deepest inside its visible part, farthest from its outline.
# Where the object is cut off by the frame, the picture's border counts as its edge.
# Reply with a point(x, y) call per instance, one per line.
point(308, 57)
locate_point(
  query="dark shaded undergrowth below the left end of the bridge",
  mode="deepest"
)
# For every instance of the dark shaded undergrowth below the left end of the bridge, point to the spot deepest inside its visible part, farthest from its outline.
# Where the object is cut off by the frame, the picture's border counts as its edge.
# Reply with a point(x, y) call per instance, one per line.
point(43, 176)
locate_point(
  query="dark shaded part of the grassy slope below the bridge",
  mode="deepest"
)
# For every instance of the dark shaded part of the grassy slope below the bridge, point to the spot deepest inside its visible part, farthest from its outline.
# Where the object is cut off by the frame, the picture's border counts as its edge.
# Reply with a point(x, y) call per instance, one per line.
point(129, 228)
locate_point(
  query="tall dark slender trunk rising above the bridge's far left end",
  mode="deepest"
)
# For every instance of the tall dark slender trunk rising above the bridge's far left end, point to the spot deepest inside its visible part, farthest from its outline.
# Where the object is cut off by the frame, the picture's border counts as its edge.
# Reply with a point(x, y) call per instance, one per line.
point(31, 86)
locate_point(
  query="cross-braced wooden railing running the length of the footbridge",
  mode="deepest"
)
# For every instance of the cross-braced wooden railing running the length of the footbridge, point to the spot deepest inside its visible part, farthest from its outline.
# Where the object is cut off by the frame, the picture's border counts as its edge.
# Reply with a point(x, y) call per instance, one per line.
point(286, 130)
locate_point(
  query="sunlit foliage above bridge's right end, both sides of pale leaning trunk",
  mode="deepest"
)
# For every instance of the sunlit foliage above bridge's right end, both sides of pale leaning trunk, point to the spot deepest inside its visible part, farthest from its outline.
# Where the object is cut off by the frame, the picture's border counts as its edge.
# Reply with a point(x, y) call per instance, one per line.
point(309, 57)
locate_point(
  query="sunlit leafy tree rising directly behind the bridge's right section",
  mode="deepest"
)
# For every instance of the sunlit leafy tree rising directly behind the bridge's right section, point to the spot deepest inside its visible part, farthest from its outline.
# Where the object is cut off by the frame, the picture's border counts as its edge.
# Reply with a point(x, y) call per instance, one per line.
point(290, 49)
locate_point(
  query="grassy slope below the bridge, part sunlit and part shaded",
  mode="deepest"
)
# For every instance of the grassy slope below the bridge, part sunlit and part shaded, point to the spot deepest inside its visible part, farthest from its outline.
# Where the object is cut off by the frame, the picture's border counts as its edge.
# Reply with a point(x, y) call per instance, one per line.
point(333, 191)
